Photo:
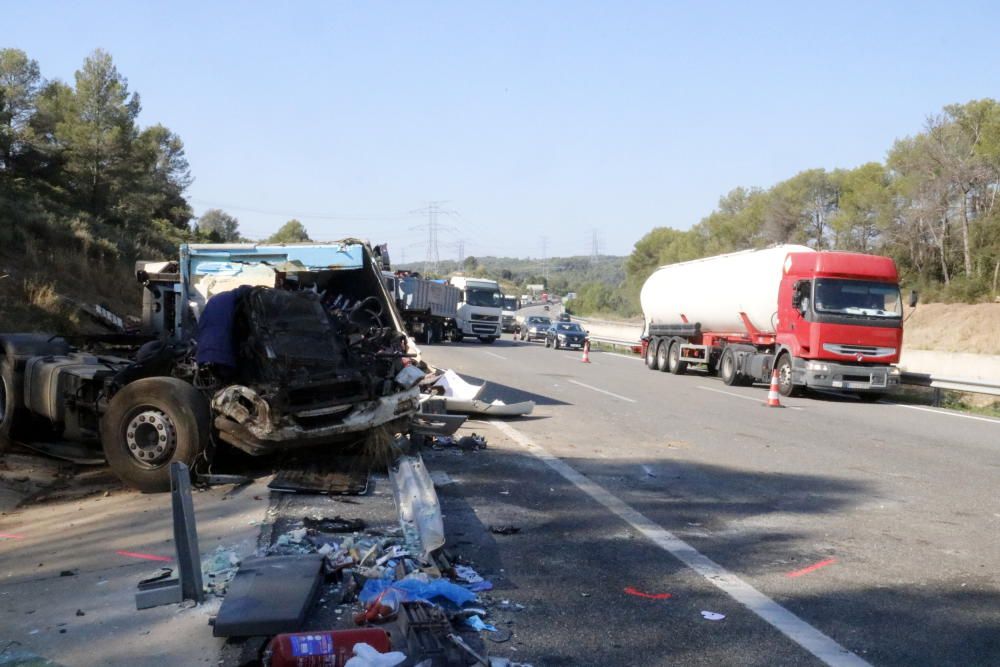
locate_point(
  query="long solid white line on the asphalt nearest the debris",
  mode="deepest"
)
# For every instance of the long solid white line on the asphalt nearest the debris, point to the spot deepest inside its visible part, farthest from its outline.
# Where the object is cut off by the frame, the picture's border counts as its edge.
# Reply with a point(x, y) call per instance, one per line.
point(790, 625)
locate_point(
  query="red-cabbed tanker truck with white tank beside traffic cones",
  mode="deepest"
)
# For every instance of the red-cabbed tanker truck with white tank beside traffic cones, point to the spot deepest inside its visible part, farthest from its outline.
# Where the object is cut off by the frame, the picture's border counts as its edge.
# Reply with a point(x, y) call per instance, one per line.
point(824, 320)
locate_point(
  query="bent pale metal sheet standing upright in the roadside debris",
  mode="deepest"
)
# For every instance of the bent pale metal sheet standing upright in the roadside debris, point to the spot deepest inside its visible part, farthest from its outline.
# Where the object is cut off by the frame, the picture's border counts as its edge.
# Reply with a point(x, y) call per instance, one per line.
point(417, 504)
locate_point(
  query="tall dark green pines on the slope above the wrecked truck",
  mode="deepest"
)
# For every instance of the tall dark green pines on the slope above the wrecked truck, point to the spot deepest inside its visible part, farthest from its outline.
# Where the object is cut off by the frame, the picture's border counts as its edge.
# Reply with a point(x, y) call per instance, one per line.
point(77, 171)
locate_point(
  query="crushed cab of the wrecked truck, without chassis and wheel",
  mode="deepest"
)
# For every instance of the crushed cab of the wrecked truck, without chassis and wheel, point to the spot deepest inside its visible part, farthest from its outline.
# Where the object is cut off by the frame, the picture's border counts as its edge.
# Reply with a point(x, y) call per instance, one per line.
point(316, 342)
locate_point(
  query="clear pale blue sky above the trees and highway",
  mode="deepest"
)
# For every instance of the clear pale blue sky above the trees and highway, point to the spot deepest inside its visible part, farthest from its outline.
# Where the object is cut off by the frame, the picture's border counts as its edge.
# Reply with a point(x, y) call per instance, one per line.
point(530, 119)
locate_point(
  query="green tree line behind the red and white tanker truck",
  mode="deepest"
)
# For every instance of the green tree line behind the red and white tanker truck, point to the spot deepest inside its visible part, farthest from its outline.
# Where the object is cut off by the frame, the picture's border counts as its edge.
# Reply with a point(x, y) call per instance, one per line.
point(931, 206)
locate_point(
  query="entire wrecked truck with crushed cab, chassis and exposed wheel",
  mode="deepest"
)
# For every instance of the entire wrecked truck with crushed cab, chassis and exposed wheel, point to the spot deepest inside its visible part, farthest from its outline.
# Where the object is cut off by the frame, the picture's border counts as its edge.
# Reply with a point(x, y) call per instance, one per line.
point(261, 347)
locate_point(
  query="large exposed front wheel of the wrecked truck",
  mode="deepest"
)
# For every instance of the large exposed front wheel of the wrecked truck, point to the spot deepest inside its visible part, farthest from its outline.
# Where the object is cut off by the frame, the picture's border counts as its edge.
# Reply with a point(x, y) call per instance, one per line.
point(151, 423)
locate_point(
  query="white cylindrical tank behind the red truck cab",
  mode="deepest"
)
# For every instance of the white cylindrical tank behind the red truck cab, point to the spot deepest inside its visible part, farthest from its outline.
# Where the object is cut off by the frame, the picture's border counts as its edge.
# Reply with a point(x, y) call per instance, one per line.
point(714, 291)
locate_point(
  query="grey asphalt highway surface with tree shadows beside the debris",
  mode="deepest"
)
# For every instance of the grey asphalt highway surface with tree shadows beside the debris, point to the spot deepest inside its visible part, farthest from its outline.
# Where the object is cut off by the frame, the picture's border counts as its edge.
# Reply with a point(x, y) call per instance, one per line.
point(827, 532)
